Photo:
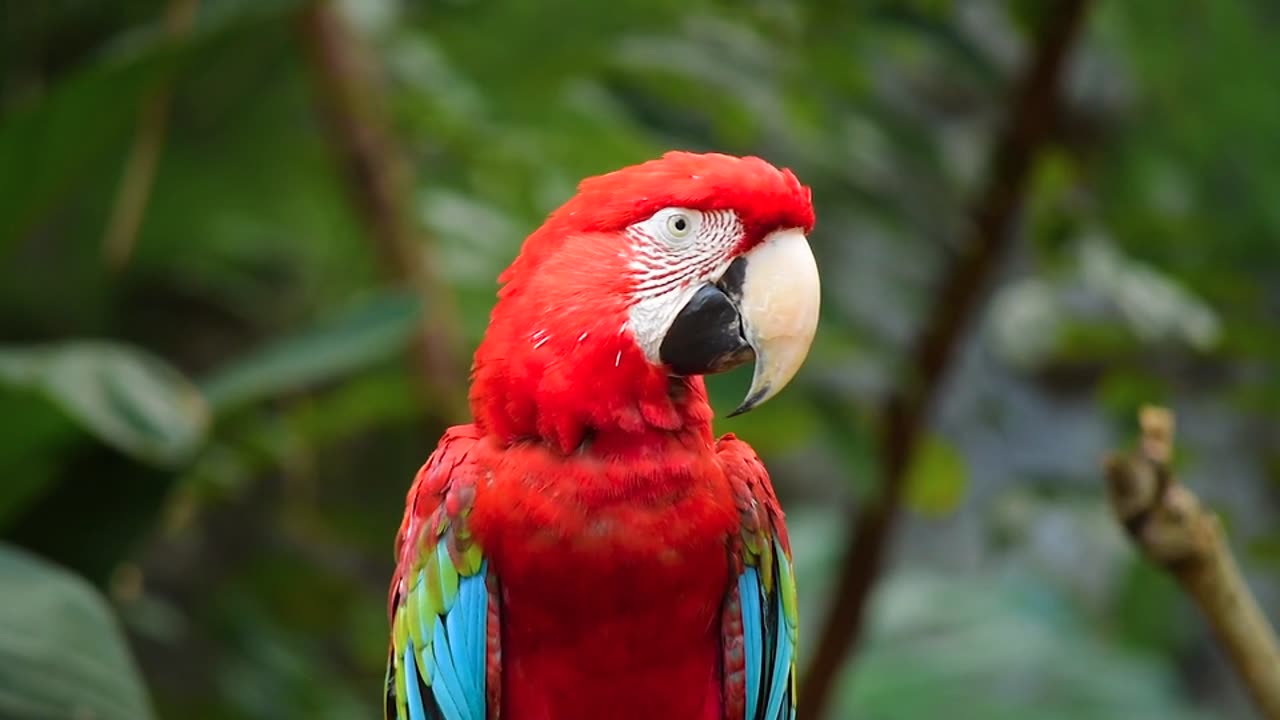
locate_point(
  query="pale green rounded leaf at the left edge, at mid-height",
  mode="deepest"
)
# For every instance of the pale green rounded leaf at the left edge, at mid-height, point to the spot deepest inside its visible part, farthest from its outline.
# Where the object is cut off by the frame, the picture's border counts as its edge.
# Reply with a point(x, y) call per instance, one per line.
point(126, 397)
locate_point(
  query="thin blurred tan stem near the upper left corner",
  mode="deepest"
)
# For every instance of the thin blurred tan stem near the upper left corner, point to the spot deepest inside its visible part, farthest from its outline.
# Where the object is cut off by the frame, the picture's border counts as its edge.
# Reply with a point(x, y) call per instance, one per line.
point(140, 168)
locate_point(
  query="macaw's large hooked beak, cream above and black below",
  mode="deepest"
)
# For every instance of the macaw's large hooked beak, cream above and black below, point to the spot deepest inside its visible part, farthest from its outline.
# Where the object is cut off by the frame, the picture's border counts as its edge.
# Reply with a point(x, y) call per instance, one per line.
point(765, 307)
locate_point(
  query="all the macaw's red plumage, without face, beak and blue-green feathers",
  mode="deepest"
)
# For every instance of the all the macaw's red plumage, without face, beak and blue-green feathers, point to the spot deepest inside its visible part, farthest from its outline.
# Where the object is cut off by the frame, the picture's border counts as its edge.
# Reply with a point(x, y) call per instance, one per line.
point(610, 516)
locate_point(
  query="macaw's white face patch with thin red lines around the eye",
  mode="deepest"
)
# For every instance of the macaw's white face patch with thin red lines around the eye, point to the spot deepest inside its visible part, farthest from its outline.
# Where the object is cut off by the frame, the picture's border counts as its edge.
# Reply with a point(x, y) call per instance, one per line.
point(669, 271)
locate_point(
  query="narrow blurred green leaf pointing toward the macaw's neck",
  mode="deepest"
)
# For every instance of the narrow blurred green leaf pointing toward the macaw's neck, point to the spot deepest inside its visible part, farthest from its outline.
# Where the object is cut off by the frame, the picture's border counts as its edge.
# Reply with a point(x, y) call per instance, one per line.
point(363, 336)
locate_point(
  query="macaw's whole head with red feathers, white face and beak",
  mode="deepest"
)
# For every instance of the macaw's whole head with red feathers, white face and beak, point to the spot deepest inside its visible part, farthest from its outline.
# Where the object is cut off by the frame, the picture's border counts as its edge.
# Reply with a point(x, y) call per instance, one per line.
point(647, 280)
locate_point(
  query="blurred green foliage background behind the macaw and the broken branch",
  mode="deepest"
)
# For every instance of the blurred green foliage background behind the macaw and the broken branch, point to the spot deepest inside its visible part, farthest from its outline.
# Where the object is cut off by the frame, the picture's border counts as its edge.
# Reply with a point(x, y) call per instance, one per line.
point(248, 248)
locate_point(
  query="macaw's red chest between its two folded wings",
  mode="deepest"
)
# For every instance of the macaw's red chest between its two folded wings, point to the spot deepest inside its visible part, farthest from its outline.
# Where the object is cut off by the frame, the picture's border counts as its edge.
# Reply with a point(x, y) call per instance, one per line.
point(614, 571)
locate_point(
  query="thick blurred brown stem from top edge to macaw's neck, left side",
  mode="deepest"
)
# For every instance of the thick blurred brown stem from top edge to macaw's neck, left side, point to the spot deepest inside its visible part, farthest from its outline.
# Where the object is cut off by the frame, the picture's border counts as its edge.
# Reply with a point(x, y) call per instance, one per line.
point(381, 184)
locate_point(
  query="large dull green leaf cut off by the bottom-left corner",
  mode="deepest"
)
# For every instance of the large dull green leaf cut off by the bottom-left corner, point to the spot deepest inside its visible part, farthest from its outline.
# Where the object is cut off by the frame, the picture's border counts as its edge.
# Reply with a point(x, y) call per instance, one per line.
point(62, 653)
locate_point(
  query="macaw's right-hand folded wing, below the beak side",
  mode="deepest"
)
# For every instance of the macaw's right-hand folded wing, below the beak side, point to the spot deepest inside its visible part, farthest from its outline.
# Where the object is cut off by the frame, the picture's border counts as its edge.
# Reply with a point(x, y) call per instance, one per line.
point(761, 619)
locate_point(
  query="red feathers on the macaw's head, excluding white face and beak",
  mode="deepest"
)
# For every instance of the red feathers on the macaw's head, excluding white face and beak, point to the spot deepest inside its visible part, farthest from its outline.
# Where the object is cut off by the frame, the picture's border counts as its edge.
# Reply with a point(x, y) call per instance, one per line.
point(559, 361)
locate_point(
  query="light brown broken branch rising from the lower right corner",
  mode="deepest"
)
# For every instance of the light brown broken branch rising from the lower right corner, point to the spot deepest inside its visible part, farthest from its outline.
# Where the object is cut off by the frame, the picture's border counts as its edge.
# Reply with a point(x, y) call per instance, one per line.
point(1176, 532)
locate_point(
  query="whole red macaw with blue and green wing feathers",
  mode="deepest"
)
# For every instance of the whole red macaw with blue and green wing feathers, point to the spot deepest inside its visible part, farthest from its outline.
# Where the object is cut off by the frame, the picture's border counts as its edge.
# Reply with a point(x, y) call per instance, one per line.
point(587, 548)
